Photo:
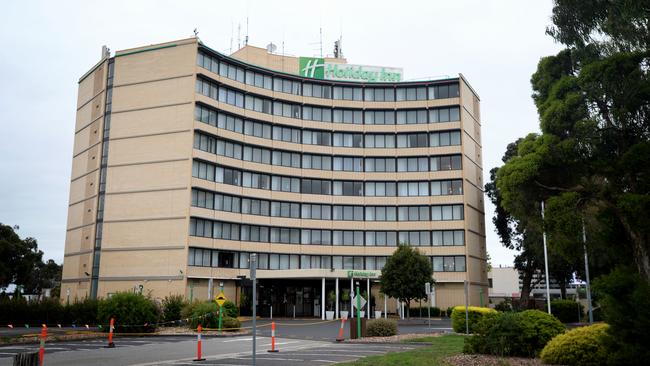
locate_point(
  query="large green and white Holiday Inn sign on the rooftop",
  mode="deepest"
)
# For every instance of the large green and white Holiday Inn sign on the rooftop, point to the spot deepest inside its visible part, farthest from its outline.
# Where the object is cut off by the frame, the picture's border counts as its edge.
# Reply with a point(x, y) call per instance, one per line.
point(318, 68)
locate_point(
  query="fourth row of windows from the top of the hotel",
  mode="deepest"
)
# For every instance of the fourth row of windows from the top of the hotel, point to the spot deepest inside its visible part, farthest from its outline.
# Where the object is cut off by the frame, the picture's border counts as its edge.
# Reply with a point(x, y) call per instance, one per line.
point(324, 162)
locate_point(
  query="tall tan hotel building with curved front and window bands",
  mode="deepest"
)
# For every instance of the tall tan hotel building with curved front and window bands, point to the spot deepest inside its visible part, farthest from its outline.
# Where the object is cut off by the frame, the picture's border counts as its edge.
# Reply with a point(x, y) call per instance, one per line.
point(187, 161)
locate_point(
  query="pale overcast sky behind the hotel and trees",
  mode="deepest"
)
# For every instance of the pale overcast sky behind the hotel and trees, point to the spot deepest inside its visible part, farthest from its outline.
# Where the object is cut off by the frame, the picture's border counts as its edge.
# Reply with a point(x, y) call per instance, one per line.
point(45, 46)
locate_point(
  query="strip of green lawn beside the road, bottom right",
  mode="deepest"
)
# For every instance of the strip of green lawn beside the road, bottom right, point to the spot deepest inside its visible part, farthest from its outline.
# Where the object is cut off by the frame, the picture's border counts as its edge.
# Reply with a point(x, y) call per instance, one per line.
point(432, 355)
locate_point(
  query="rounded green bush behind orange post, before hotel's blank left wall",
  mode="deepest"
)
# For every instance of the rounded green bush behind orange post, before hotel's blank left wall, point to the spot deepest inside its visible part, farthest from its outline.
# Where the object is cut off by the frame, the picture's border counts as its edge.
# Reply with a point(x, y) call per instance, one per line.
point(133, 312)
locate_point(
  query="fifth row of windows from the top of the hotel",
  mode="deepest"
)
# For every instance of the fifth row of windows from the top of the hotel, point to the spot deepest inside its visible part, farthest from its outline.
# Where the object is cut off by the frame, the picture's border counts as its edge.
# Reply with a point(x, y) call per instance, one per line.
point(236, 177)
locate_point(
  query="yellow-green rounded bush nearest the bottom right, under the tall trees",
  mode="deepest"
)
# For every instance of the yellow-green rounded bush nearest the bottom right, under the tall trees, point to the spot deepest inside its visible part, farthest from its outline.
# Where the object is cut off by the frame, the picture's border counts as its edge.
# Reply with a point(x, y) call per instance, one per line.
point(579, 346)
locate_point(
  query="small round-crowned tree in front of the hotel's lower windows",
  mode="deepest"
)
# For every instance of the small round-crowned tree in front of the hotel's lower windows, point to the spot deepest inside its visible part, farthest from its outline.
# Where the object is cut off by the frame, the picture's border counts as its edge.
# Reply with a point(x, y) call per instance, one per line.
point(405, 274)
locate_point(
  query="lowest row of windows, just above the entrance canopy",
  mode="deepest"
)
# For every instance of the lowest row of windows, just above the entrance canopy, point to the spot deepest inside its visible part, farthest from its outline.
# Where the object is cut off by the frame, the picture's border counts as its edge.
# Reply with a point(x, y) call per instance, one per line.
point(274, 261)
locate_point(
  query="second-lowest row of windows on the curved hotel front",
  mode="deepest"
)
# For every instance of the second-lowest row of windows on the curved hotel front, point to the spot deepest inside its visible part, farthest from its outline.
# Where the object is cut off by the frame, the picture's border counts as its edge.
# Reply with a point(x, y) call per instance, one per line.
point(241, 232)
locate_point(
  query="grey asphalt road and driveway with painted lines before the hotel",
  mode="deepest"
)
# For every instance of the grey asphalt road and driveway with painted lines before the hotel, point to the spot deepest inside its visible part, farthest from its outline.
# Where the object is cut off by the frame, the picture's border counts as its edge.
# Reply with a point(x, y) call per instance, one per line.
point(302, 341)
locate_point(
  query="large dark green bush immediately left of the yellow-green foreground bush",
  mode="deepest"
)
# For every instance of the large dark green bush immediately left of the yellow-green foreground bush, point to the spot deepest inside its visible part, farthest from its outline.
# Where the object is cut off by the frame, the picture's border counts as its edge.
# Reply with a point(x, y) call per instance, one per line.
point(514, 334)
